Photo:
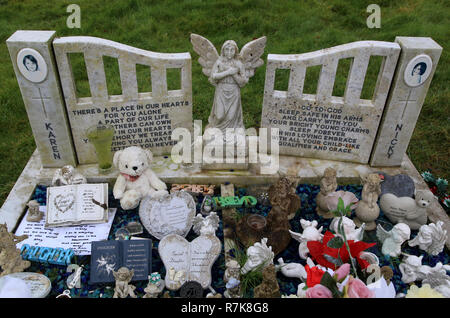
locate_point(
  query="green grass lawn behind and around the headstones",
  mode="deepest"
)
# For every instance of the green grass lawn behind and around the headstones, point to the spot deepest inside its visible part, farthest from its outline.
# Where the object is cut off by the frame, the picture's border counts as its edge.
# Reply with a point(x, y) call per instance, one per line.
point(292, 26)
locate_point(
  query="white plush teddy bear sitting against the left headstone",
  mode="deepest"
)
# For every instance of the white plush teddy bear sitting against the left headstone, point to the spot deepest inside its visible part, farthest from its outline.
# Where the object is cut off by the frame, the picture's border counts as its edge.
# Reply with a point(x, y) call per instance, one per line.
point(136, 180)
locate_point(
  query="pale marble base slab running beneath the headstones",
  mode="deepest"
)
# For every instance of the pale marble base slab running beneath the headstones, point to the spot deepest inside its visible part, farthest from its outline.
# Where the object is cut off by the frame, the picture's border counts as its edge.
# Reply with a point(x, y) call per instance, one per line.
point(309, 170)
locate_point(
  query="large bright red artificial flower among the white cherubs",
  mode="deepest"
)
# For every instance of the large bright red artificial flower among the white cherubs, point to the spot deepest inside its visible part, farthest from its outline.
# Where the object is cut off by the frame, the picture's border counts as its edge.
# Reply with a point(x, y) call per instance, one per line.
point(318, 249)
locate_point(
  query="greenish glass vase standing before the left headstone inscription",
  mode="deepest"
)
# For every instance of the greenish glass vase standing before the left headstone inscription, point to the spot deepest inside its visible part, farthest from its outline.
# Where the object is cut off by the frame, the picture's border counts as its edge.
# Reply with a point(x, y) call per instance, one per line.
point(101, 137)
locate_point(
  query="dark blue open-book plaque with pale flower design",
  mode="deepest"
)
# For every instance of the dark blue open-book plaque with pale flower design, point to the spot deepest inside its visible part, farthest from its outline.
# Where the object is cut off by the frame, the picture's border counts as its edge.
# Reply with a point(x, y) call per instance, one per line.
point(109, 256)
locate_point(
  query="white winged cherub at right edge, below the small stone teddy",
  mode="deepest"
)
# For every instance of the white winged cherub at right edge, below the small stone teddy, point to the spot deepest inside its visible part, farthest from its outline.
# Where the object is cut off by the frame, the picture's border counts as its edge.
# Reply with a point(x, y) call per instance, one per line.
point(431, 238)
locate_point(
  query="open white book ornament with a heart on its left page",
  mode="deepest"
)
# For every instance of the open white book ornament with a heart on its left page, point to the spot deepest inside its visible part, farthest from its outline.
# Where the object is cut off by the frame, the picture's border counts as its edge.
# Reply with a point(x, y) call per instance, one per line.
point(77, 204)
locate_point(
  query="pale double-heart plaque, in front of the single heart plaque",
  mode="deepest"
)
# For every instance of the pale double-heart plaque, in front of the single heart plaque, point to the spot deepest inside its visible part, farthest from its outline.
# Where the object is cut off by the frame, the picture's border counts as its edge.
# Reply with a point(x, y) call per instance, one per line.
point(188, 261)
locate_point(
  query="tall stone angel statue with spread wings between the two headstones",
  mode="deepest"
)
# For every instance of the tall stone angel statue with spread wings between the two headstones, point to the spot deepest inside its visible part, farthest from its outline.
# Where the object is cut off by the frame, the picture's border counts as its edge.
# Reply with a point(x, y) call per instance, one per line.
point(228, 72)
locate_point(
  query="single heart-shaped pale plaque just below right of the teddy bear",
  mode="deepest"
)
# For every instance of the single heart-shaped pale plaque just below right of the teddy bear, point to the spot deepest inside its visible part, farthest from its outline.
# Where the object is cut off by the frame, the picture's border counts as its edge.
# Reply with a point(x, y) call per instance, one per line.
point(170, 214)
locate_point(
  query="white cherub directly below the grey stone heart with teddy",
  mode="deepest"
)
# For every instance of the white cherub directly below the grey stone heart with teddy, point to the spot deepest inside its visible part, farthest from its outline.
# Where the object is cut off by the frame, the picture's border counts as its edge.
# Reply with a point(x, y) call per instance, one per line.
point(392, 240)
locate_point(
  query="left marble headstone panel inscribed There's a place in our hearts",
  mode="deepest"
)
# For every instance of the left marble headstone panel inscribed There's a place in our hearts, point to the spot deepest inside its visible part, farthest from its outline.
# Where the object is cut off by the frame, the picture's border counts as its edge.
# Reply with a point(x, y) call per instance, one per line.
point(140, 118)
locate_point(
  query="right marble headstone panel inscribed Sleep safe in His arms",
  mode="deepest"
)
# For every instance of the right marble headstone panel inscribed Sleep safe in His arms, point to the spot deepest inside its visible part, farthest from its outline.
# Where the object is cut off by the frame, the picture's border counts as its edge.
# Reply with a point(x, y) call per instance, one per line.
point(321, 125)
